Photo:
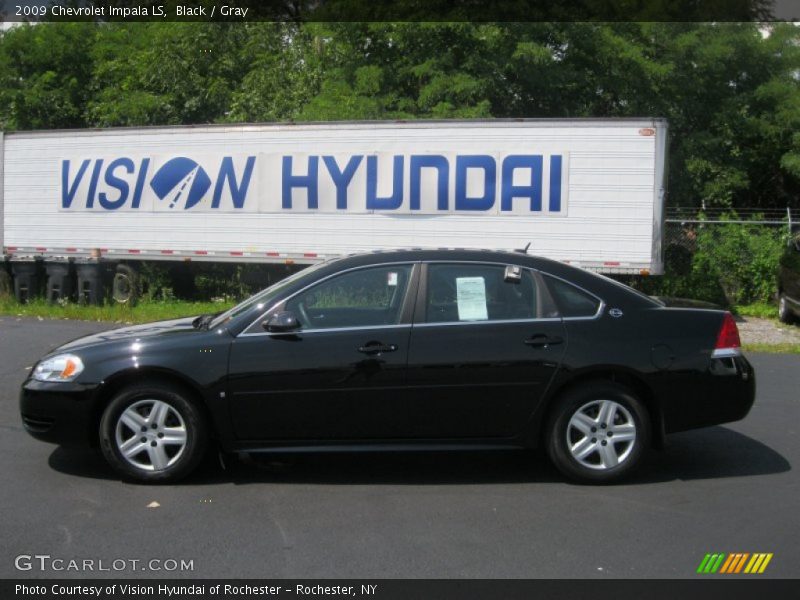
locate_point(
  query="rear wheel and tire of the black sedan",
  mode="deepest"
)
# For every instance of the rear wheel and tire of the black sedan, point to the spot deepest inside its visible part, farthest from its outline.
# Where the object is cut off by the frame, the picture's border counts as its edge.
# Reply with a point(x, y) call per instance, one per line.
point(598, 433)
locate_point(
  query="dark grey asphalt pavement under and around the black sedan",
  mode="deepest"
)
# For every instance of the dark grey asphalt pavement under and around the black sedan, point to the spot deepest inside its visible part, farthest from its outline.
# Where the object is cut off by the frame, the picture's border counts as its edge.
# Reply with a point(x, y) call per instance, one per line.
point(728, 489)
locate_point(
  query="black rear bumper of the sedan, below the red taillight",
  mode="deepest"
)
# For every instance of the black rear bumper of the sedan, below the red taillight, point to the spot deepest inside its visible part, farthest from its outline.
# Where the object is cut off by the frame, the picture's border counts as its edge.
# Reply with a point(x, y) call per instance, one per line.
point(724, 393)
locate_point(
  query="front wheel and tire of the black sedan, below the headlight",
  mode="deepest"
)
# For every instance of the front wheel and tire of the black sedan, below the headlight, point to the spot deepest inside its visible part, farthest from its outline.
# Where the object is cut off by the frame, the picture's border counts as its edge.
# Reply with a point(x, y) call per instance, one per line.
point(153, 433)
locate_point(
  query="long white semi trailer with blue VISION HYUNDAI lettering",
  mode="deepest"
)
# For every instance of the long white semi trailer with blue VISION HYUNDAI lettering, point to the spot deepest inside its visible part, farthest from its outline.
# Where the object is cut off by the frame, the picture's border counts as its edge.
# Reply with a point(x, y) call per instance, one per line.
point(589, 192)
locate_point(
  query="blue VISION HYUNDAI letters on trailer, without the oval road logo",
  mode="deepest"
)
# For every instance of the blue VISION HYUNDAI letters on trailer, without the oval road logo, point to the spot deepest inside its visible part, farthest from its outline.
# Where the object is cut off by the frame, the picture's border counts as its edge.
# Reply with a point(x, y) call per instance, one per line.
point(120, 173)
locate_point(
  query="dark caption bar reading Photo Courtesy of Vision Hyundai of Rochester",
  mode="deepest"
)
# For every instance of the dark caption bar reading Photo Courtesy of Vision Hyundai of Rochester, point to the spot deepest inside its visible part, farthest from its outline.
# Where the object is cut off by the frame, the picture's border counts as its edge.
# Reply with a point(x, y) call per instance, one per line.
point(730, 588)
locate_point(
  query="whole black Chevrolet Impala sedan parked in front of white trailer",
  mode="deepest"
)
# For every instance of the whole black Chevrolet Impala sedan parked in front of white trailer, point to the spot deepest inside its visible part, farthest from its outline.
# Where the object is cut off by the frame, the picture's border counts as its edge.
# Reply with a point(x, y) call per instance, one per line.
point(402, 350)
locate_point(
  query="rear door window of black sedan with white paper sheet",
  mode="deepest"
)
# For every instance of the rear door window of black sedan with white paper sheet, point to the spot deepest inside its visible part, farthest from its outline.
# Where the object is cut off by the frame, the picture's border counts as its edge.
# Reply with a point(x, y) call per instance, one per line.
point(471, 292)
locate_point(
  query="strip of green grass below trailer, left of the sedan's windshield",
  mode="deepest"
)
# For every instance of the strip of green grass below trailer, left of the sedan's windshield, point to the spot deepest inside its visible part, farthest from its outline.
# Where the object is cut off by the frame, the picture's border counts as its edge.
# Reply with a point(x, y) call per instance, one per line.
point(144, 312)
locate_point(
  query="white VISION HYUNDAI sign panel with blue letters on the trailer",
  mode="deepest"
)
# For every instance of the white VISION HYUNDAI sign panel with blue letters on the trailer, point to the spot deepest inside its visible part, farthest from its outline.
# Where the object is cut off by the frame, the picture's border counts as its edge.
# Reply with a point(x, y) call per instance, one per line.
point(425, 183)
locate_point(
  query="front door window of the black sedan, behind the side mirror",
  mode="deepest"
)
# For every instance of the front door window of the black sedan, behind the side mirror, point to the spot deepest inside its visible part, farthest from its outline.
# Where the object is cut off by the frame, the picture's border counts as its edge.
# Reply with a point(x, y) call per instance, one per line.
point(362, 298)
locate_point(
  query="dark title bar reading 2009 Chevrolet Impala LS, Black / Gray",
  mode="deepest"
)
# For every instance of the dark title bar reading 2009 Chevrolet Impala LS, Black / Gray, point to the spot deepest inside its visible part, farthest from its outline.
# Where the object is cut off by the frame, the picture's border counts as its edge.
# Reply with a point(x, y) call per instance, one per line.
point(399, 10)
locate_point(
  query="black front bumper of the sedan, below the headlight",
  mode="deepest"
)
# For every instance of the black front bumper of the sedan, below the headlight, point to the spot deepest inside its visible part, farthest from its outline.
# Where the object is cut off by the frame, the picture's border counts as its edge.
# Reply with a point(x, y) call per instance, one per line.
point(59, 413)
